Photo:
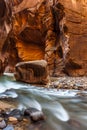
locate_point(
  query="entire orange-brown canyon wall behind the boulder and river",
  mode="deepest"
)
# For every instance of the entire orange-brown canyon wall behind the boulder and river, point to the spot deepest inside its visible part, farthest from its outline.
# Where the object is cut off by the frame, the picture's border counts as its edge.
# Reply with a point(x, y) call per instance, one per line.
point(42, 30)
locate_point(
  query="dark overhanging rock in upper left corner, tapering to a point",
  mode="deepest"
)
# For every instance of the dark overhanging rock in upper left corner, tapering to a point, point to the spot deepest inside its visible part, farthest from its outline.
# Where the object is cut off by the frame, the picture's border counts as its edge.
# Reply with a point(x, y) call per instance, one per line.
point(5, 24)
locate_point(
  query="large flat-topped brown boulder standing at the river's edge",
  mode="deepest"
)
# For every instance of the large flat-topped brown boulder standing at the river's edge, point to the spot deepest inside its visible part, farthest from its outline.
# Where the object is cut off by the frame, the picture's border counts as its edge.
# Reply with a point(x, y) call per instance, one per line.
point(32, 72)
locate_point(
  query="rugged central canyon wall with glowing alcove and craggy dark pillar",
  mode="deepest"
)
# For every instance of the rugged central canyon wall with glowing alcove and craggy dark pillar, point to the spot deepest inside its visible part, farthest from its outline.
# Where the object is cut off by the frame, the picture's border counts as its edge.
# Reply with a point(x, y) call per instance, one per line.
point(38, 34)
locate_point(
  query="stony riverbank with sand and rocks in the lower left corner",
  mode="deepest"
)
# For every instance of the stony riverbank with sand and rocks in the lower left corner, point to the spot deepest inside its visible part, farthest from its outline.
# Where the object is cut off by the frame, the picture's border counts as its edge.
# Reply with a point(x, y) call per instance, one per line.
point(12, 118)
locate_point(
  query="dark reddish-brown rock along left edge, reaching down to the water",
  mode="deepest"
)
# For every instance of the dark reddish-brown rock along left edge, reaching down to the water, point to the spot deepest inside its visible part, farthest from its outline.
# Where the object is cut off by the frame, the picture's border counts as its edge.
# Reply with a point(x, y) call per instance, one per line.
point(5, 28)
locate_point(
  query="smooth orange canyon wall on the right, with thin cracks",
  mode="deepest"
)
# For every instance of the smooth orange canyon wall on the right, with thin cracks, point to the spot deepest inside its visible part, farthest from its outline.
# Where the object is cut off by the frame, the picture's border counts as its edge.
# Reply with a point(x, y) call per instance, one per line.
point(76, 20)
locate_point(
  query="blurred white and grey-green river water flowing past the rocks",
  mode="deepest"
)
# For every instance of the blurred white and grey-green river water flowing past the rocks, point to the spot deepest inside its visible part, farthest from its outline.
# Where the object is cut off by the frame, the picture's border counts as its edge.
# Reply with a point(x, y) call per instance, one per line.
point(63, 109)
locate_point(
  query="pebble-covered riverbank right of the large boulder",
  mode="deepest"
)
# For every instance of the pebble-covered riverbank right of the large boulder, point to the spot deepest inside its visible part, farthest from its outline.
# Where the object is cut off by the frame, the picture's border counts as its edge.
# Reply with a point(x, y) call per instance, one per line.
point(77, 83)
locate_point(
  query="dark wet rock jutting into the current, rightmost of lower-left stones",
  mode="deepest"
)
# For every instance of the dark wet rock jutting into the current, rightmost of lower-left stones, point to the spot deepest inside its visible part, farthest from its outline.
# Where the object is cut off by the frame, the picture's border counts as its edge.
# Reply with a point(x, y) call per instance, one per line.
point(34, 114)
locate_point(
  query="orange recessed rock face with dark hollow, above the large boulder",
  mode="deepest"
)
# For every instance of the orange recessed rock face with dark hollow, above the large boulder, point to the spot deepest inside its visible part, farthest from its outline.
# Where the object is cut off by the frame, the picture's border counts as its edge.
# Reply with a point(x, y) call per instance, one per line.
point(29, 33)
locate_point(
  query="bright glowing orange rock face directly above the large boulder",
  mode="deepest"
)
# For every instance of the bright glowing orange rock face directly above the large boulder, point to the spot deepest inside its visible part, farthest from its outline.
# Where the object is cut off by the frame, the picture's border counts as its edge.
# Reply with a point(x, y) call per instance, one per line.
point(29, 52)
